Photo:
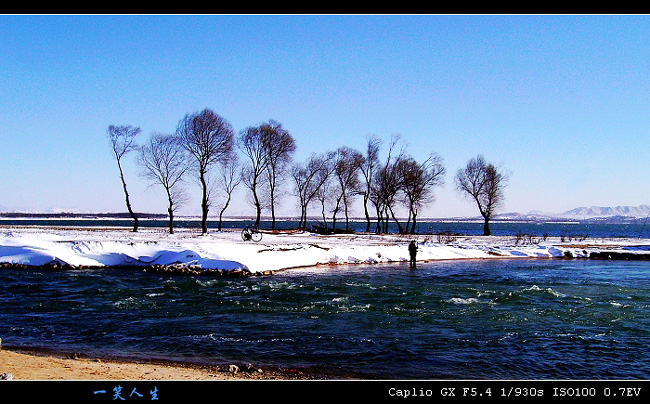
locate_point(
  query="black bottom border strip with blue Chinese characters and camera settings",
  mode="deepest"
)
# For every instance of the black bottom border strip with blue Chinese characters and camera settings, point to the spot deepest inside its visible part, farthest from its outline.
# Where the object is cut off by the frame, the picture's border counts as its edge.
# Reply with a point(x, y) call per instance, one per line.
point(329, 391)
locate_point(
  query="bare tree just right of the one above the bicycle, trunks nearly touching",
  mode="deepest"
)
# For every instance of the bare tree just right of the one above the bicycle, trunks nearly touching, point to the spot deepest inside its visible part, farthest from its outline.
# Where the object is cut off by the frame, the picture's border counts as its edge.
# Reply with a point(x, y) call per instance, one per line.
point(280, 147)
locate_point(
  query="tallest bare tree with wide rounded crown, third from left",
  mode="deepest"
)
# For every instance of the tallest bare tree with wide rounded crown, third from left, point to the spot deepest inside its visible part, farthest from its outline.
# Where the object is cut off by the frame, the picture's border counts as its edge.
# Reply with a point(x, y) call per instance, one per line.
point(209, 139)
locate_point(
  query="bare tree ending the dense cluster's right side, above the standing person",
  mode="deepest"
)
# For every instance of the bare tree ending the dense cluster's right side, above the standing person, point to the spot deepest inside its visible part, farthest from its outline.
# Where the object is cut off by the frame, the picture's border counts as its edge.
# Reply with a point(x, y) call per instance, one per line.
point(417, 181)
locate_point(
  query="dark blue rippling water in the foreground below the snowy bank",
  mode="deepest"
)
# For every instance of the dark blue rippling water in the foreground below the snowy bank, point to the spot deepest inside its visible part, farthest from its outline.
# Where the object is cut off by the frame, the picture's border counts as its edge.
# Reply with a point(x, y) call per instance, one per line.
point(494, 319)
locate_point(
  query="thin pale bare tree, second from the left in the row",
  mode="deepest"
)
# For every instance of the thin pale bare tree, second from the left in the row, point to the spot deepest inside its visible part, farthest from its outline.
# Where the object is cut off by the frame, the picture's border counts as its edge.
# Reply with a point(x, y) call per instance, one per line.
point(165, 162)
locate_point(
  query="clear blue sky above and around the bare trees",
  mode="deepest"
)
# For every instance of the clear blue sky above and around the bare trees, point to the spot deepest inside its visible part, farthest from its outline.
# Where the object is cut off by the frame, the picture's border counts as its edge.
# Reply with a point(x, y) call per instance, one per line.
point(560, 102)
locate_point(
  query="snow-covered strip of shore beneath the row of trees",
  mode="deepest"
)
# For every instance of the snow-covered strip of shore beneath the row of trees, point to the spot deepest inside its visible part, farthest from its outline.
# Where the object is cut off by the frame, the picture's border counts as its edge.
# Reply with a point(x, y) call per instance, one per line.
point(226, 251)
